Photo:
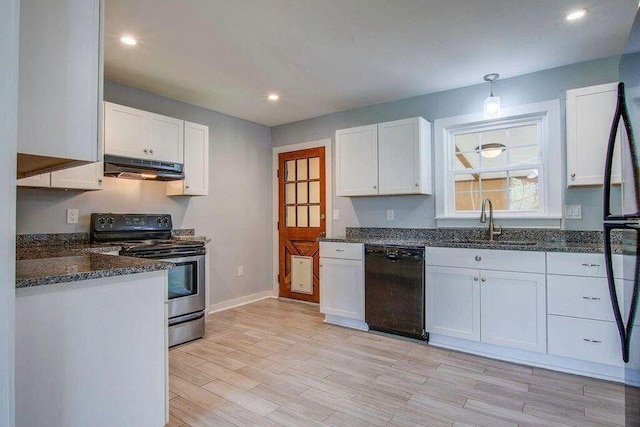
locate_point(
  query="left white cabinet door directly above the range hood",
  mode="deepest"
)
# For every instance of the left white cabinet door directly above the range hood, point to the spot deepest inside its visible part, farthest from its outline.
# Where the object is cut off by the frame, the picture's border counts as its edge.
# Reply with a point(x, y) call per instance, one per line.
point(125, 131)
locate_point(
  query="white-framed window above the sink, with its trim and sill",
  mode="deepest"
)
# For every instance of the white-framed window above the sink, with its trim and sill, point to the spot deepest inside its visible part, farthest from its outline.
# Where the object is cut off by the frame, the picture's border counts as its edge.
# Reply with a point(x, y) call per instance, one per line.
point(514, 159)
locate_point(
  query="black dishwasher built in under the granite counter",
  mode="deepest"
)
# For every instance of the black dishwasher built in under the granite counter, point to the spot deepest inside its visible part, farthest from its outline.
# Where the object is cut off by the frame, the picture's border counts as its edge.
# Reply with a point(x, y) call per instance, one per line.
point(394, 290)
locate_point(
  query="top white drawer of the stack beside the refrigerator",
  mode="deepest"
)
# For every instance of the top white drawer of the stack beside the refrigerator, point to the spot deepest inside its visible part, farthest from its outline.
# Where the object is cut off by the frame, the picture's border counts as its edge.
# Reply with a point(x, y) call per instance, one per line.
point(574, 264)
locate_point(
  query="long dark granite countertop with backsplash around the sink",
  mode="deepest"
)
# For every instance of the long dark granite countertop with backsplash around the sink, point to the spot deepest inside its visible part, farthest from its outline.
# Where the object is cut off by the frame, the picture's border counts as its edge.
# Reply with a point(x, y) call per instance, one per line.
point(544, 240)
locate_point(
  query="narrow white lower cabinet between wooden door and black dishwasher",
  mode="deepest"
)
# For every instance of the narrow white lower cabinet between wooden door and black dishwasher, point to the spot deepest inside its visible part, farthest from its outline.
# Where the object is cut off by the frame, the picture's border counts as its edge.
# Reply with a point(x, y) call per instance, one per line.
point(342, 283)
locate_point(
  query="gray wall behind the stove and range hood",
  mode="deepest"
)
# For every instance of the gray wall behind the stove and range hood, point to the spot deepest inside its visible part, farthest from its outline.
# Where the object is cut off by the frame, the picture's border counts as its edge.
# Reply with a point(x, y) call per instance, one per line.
point(236, 214)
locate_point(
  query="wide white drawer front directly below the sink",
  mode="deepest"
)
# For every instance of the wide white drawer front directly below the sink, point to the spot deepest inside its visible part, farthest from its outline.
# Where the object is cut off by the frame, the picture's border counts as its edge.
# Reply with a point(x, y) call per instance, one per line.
point(487, 259)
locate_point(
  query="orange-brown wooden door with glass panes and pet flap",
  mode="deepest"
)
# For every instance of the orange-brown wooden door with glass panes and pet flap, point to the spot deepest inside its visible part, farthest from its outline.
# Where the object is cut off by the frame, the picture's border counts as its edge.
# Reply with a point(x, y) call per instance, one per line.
point(301, 220)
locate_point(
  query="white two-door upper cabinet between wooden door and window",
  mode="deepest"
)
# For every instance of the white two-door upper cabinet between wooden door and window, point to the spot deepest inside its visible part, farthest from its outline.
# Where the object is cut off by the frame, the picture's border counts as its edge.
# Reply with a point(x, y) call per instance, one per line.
point(385, 159)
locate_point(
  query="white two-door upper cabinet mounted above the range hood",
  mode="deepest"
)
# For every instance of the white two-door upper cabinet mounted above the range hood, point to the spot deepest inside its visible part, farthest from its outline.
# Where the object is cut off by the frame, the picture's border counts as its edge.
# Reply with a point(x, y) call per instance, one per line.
point(130, 132)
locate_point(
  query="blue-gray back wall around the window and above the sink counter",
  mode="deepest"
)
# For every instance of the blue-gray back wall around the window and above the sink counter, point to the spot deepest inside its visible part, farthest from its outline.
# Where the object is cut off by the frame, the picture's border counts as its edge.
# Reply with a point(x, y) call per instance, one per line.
point(419, 211)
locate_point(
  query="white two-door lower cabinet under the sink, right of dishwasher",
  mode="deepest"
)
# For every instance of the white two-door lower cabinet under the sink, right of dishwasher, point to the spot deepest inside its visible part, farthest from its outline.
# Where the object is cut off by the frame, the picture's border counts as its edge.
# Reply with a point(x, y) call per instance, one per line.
point(504, 308)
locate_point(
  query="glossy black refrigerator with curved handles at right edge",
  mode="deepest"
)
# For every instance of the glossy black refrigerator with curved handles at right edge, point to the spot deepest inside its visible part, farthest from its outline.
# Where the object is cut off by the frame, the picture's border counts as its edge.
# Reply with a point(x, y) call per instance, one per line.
point(621, 209)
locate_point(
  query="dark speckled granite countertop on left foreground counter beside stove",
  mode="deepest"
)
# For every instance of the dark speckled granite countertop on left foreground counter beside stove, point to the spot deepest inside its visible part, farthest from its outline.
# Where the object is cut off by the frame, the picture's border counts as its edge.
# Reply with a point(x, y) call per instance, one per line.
point(86, 266)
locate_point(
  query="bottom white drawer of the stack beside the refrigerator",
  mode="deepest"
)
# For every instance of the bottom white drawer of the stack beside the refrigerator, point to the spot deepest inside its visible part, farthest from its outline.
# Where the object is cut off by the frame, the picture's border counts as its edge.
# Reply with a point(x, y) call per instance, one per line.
point(591, 340)
